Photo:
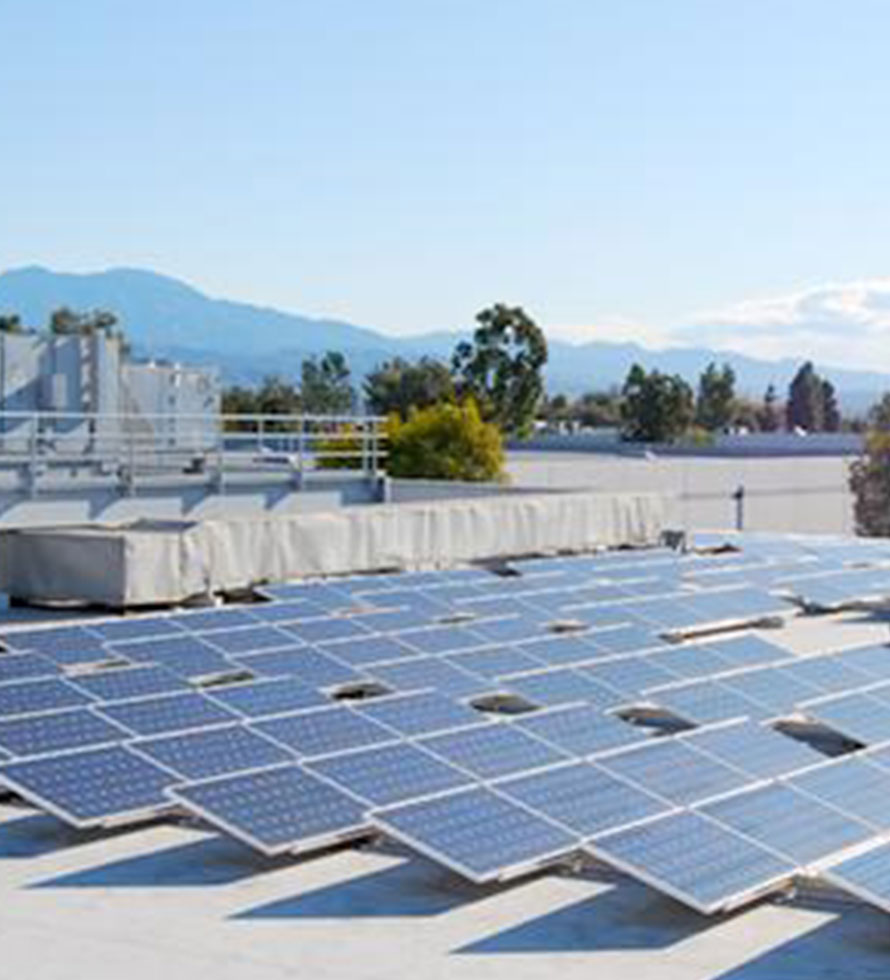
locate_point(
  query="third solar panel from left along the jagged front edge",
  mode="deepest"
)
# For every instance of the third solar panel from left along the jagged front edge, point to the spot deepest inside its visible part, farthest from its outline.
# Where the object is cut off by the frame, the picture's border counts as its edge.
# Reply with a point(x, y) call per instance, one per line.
point(477, 833)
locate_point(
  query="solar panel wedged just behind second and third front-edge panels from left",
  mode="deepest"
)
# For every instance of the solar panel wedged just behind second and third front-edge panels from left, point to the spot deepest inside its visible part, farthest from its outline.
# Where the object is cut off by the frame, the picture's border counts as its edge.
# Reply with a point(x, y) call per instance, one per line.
point(390, 774)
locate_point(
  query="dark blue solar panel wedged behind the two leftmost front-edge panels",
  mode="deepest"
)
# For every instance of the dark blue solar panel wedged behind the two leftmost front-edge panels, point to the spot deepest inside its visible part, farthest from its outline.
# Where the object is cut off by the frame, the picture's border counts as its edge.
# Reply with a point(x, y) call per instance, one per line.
point(213, 752)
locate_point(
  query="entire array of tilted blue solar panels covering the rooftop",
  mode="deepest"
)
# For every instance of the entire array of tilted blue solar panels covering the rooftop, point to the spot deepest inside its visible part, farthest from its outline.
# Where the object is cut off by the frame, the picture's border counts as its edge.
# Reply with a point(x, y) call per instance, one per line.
point(250, 717)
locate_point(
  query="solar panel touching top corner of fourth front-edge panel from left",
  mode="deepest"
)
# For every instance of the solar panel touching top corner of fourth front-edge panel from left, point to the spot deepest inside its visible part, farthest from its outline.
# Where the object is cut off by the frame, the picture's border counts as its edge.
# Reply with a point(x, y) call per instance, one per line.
point(674, 770)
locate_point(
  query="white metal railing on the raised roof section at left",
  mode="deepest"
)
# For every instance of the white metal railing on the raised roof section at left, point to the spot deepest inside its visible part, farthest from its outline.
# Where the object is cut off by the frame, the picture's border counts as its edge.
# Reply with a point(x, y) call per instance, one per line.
point(43, 449)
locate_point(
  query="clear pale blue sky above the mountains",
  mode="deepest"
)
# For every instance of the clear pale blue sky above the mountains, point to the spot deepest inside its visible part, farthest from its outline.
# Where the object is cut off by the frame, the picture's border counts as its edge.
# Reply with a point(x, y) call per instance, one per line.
point(623, 169)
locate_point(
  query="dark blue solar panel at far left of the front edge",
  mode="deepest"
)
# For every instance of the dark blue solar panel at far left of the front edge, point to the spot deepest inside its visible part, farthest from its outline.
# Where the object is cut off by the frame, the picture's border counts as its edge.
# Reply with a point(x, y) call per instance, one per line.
point(90, 786)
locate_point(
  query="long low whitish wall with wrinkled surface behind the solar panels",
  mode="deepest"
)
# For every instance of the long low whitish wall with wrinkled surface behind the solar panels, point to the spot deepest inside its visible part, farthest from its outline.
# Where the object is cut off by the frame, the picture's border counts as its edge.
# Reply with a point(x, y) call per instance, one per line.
point(169, 562)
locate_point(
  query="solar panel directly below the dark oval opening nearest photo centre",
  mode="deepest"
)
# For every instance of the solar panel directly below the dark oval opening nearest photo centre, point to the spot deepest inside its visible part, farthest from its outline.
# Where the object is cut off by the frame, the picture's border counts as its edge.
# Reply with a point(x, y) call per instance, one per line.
point(492, 750)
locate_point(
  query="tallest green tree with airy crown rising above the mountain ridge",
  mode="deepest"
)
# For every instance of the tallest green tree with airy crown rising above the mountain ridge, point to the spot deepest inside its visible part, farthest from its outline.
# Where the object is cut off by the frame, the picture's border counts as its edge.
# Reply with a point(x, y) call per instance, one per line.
point(501, 368)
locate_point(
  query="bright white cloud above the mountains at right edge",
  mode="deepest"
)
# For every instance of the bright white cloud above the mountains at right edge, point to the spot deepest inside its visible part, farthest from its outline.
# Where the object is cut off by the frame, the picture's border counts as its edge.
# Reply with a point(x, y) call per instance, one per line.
point(844, 324)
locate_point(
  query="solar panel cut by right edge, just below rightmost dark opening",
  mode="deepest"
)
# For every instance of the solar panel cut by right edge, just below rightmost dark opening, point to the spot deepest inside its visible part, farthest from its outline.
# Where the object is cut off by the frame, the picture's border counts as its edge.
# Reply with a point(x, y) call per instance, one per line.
point(852, 785)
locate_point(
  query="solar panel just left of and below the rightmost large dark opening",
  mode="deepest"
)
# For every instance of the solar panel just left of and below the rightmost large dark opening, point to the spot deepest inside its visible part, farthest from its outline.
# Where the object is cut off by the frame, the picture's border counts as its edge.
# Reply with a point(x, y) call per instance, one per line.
point(754, 749)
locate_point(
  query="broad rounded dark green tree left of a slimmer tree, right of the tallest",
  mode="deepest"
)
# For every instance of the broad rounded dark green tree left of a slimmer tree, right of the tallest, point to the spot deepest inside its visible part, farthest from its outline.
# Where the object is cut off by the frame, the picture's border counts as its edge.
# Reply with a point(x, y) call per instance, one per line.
point(656, 407)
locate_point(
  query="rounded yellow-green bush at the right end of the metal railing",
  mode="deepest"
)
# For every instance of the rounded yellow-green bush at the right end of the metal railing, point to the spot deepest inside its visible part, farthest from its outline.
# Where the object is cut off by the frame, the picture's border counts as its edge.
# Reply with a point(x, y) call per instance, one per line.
point(445, 442)
